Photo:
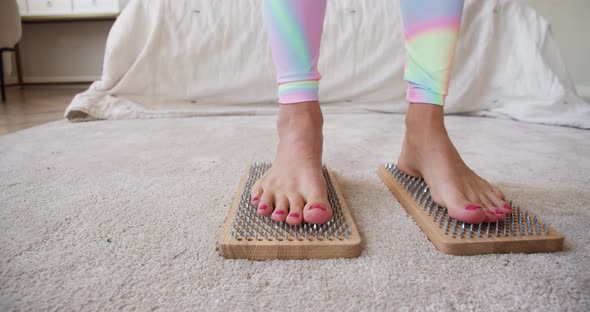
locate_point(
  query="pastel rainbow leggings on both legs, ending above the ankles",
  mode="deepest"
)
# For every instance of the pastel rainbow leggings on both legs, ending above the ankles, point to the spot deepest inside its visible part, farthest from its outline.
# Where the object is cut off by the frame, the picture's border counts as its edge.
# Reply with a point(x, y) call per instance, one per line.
point(431, 29)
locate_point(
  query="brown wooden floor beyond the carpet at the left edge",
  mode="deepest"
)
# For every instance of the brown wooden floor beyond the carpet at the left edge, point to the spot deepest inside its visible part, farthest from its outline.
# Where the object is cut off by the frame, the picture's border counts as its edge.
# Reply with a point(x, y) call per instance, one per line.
point(35, 105)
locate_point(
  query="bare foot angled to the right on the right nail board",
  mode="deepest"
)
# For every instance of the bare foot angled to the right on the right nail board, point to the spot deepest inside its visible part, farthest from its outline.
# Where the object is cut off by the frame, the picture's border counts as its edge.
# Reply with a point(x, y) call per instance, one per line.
point(429, 153)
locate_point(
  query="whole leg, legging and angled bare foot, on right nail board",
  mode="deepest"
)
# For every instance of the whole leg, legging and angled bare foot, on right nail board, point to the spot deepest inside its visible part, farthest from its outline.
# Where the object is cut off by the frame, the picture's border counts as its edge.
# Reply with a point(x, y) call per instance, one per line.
point(431, 30)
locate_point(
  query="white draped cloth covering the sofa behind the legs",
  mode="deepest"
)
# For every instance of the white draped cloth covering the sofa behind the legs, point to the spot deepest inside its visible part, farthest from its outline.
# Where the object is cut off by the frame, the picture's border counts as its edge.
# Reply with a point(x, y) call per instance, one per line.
point(174, 58)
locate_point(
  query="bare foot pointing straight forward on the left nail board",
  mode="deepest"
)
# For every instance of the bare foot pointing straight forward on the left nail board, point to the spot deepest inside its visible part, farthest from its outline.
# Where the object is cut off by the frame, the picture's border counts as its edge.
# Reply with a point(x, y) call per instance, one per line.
point(294, 189)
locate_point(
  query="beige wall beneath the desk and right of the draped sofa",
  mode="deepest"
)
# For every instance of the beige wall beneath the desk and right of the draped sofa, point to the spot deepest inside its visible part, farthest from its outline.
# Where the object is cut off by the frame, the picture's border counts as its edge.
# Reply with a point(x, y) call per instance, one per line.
point(74, 51)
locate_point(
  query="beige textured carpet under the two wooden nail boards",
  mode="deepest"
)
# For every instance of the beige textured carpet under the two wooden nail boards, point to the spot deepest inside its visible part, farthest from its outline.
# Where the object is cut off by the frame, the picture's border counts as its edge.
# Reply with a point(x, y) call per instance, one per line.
point(125, 215)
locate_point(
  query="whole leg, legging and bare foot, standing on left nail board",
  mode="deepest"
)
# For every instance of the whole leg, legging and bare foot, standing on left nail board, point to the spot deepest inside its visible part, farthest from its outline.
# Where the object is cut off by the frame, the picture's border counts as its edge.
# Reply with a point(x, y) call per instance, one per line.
point(294, 189)
